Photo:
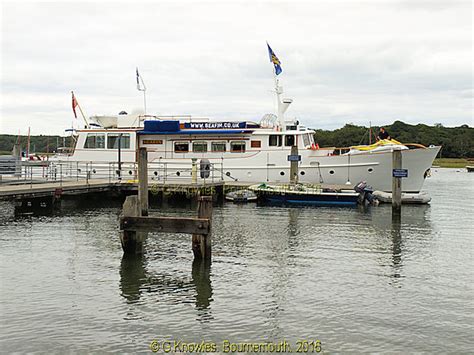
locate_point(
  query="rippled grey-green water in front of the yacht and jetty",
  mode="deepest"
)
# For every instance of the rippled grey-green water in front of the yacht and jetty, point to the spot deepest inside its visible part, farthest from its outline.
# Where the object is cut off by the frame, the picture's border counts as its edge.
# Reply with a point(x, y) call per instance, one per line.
point(346, 277)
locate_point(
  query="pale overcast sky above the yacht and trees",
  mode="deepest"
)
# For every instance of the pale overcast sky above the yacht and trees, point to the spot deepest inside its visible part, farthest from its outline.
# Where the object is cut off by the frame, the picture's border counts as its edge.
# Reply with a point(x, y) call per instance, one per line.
point(343, 61)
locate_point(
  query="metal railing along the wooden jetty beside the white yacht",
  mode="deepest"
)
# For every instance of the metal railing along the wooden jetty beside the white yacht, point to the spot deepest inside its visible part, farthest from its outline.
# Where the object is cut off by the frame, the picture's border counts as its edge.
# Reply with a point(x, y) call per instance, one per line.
point(13, 171)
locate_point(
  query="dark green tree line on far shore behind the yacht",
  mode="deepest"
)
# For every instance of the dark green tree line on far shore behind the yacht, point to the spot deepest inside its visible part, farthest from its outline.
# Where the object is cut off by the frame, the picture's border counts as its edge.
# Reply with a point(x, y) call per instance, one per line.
point(457, 142)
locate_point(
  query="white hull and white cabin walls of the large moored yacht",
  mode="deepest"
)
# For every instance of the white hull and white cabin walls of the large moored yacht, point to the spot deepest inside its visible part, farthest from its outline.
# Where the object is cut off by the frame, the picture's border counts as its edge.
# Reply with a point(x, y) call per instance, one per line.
point(265, 163)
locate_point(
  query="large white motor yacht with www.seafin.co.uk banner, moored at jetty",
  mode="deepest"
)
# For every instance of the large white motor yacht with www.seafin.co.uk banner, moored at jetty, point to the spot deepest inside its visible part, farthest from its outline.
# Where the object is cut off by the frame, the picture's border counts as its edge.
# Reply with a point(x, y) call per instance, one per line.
point(245, 151)
